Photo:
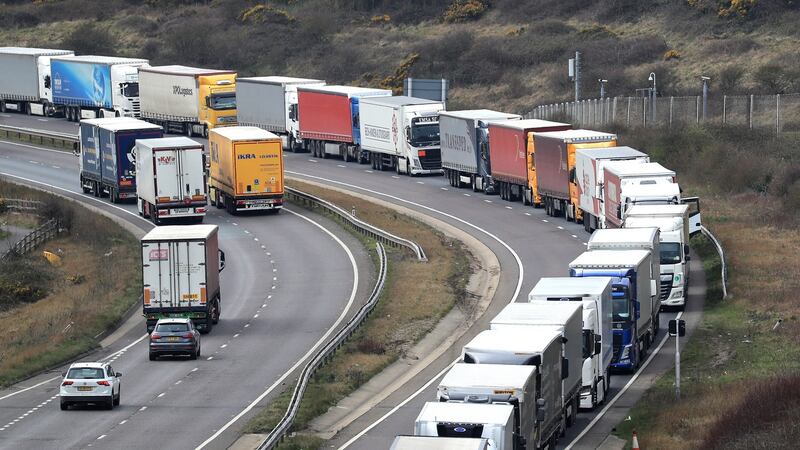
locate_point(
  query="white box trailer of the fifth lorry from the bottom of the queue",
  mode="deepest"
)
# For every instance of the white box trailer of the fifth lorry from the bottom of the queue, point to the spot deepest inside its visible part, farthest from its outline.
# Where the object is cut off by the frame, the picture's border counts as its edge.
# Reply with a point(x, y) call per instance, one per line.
point(568, 318)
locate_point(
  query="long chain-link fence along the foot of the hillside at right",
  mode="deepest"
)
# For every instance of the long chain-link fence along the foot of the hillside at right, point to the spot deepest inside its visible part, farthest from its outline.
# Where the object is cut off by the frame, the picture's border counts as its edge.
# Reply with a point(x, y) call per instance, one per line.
point(779, 112)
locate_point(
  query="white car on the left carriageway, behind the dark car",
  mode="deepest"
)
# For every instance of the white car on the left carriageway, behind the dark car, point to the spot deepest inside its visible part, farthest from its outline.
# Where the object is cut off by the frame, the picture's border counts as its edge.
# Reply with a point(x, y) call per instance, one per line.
point(90, 382)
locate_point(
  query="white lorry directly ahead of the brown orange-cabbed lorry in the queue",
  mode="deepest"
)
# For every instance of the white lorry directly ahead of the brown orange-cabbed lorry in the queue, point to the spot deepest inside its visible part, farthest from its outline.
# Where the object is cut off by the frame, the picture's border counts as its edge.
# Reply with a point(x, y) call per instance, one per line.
point(589, 170)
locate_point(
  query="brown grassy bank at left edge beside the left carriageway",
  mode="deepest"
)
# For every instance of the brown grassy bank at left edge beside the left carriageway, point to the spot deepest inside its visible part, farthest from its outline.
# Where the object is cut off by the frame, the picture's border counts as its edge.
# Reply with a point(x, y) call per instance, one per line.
point(75, 302)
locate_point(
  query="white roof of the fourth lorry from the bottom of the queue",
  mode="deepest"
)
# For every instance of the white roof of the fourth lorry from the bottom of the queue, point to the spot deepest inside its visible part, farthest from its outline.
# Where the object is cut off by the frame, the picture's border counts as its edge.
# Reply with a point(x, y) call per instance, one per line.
point(522, 341)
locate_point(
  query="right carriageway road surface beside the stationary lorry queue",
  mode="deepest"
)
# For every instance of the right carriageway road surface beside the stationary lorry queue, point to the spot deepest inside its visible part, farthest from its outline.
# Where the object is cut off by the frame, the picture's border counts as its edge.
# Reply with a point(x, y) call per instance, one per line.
point(528, 244)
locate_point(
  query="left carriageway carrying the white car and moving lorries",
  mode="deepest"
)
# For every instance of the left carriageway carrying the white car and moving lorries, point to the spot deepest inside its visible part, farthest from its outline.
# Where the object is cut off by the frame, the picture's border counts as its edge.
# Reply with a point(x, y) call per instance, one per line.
point(180, 403)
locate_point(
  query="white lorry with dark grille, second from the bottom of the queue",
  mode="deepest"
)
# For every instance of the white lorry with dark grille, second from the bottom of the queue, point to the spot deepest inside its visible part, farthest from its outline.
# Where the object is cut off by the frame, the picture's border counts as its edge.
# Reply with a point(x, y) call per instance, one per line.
point(469, 420)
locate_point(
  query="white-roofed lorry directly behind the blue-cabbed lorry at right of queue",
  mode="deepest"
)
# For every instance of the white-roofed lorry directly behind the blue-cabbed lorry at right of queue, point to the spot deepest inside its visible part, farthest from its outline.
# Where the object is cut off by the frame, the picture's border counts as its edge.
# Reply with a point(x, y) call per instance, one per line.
point(634, 239)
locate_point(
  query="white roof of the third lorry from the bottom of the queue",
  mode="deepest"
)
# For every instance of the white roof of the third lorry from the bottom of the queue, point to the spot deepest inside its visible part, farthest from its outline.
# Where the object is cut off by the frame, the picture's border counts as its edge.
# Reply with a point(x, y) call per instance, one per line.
point(464, 375)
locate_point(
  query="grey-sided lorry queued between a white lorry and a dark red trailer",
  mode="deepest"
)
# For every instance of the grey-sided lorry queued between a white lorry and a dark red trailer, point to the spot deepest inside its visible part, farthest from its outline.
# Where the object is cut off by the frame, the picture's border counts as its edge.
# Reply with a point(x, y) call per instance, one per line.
point(465, 147)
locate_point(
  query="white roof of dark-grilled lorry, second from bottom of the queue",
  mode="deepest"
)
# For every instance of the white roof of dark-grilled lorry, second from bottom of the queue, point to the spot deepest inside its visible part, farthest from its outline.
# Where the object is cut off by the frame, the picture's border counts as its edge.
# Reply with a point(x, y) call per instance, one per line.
point(496, 414)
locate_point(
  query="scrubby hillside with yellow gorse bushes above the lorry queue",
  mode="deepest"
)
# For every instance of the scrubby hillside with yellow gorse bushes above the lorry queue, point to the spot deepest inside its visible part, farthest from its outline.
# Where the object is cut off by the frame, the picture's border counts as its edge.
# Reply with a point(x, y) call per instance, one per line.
point(506, 54)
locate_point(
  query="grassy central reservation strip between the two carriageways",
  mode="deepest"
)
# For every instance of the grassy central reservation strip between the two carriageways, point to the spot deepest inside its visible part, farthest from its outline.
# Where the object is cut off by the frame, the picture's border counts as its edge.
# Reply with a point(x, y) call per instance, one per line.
point(416, 296)
